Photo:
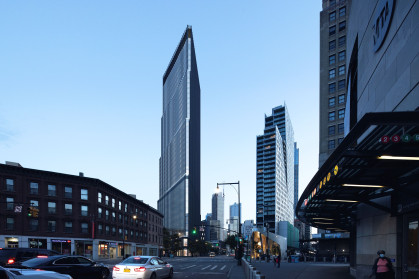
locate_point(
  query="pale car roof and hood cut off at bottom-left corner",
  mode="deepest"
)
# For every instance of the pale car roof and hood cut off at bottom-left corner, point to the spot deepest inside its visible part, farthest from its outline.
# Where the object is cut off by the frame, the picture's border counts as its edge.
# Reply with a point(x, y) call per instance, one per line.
point(15, 273)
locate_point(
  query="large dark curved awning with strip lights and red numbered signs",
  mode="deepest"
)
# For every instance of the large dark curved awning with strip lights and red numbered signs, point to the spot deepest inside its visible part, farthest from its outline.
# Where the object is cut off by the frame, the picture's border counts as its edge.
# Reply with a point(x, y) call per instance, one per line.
point(378, 158)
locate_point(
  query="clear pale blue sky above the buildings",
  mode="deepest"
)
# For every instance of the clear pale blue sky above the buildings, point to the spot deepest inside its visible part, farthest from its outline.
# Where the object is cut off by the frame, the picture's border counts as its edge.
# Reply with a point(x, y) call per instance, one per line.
point(81, 87)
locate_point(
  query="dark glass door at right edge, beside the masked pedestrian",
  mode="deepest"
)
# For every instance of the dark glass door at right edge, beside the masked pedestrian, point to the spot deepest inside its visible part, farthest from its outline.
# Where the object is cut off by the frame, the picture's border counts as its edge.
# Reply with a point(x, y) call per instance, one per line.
point(412, 265)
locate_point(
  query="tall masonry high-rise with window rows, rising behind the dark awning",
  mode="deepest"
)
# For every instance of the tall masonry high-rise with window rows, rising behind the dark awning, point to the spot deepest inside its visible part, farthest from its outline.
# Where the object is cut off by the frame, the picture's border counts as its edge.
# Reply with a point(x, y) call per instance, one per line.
point(333, 69)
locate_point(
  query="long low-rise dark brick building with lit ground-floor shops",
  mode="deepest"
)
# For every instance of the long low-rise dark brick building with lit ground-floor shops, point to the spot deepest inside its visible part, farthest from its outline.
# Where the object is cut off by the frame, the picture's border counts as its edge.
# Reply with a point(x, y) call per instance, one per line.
point(76, 214)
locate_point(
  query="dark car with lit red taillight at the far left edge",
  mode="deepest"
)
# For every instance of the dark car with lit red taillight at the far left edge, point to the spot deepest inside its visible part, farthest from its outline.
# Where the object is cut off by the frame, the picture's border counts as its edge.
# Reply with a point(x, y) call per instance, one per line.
point(12, 257)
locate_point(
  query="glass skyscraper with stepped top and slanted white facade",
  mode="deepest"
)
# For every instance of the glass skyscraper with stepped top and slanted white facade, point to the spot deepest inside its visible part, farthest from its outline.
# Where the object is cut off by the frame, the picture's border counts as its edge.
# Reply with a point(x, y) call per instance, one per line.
point(275, 171)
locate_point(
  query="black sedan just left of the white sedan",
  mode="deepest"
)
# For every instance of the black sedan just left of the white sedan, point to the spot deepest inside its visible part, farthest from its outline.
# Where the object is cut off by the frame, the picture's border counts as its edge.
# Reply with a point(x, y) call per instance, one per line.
point(76, 266)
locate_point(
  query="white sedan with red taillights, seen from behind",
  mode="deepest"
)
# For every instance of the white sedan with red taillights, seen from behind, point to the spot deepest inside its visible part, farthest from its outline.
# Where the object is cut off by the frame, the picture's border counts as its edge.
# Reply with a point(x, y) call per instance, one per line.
point(143, 267)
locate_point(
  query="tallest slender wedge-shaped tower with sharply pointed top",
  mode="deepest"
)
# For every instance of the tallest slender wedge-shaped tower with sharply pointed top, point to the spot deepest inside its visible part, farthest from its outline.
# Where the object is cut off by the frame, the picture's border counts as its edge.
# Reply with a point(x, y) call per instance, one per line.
point(180, 161)
